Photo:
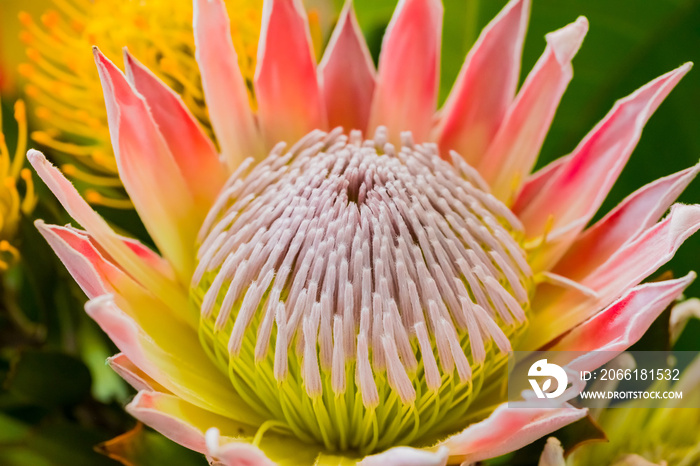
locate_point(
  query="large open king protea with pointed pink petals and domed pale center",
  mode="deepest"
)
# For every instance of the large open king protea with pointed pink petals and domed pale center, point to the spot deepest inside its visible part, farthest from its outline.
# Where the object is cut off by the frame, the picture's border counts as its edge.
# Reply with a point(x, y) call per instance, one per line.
point(351, 295)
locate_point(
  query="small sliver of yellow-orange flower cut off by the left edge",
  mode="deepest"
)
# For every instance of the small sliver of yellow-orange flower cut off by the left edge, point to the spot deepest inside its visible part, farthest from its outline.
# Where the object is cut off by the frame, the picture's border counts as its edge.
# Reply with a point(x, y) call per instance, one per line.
point(12, 203)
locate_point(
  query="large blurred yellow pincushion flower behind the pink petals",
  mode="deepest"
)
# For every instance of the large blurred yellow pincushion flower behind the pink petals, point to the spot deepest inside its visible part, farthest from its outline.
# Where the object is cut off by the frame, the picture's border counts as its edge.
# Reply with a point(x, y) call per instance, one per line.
point(63, 88)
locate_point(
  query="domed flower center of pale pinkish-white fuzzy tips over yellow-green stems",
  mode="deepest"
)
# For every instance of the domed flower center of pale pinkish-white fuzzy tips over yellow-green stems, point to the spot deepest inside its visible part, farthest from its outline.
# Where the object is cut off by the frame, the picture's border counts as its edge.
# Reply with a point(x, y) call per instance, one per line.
point(358, 295)
